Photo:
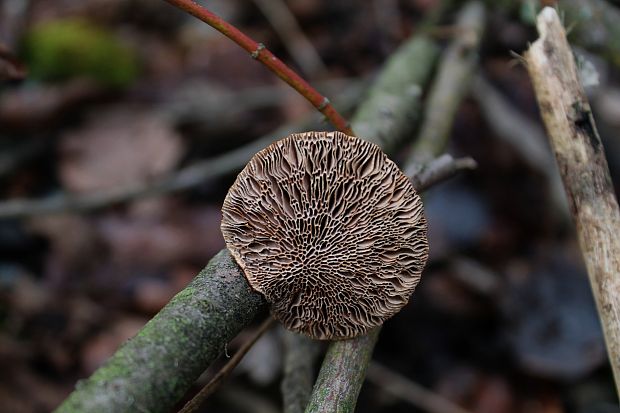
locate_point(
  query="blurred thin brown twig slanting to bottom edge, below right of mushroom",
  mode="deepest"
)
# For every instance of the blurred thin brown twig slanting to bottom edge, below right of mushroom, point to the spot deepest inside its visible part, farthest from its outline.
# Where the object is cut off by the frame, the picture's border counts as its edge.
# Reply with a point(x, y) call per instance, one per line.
point(409, 391)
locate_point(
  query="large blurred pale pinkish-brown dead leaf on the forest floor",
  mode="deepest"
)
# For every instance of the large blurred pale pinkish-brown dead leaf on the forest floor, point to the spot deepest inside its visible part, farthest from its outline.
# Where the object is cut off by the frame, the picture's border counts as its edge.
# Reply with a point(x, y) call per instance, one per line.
point(118, 147)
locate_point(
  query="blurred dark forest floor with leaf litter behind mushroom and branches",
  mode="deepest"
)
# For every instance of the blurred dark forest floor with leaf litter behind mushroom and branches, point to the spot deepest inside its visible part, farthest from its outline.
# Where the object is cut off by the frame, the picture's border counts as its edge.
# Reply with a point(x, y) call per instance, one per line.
point(124, 122)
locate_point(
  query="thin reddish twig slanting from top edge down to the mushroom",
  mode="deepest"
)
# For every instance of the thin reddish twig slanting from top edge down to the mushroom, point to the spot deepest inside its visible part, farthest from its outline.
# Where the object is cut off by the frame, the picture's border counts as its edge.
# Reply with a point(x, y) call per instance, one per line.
point(259, 52)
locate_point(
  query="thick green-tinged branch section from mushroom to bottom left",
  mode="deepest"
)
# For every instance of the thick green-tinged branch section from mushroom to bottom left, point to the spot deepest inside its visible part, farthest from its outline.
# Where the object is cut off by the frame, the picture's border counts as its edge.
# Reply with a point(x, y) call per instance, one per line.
point(153, 370)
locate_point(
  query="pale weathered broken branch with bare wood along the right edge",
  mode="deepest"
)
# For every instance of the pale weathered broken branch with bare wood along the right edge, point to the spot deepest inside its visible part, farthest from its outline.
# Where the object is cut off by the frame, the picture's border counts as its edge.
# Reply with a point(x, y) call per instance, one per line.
point(581, 159)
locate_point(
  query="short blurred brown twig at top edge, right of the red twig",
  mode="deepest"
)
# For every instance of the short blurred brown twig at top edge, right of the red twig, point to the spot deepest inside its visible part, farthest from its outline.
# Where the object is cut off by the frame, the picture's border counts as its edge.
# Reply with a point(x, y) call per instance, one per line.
point(297, 44)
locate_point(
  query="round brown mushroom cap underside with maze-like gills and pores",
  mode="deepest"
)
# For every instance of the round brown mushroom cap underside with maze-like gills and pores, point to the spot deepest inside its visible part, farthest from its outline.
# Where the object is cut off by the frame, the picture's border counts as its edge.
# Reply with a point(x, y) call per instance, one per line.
point(329, 230)
